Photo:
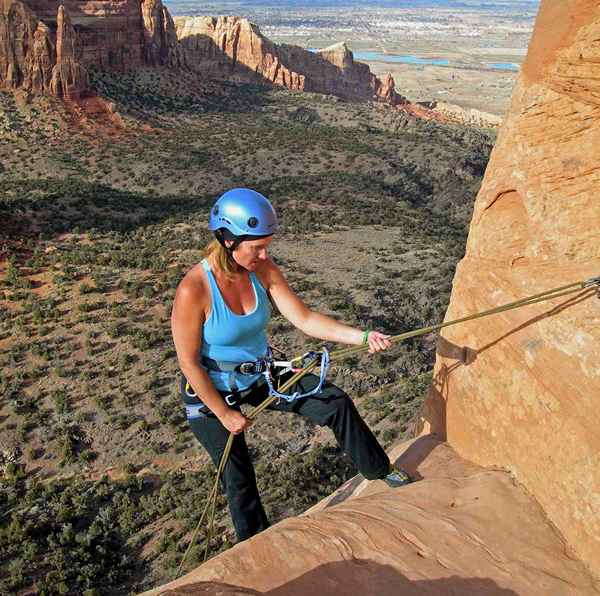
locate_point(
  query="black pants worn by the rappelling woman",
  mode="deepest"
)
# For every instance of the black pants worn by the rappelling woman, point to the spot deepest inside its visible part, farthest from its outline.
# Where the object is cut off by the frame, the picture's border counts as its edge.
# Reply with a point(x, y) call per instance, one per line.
point(332, 408)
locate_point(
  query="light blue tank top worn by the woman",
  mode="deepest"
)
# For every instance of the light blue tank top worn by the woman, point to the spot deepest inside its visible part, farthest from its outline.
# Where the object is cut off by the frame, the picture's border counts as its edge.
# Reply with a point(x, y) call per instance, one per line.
point(230, 337)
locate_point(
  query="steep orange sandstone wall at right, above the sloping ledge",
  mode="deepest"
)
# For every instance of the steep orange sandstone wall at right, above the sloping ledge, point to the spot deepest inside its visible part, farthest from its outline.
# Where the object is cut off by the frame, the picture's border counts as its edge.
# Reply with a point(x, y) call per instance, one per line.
point(526, 396)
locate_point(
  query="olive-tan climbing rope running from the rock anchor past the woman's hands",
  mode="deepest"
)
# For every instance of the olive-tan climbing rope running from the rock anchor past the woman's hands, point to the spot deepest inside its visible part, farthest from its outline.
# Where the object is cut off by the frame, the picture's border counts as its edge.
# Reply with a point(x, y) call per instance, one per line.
point(592, 283)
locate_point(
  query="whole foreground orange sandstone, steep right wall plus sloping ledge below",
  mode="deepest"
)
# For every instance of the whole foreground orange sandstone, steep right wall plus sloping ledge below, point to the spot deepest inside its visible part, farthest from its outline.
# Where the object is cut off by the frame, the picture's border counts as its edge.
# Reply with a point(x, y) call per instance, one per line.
point(516, 393)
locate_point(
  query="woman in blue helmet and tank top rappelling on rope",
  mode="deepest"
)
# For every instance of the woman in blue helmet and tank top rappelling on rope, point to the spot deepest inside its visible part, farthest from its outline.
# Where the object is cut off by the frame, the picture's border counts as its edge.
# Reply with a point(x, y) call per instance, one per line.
point(220, 313)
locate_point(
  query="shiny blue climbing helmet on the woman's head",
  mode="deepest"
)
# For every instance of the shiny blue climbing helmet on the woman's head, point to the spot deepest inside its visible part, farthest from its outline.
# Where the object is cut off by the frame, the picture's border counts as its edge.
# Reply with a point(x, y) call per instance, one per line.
point(242, 213)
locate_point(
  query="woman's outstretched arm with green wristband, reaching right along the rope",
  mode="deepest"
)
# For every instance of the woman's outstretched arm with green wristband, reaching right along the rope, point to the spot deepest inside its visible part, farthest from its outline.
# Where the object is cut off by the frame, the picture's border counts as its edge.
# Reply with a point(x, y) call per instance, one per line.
point(312, 323)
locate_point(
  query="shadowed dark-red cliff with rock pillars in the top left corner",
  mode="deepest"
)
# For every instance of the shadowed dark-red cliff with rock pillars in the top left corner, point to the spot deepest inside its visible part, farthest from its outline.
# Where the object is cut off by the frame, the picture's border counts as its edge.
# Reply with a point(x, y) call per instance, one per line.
point(47, 46)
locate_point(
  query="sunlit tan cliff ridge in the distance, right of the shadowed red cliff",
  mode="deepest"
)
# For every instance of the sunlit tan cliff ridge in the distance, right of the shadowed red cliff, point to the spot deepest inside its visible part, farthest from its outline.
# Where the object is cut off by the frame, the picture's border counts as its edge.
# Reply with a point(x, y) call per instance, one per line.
point(232, 47)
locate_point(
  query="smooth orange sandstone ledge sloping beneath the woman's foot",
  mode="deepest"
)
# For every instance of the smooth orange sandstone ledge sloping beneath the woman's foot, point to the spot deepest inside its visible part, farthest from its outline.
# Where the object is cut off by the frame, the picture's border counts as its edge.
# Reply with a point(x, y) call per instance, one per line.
point(460, 530)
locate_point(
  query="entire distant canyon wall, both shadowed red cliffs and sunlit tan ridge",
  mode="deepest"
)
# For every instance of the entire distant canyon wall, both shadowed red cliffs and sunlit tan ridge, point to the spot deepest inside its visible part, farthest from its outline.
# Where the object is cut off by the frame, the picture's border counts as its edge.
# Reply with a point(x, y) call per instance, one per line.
point(47, 47)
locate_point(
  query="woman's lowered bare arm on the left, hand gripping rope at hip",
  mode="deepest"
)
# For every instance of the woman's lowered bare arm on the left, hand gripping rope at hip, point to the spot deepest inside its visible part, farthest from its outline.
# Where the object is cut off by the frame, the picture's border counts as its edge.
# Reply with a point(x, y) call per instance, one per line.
point(187, 319)
